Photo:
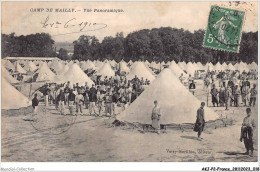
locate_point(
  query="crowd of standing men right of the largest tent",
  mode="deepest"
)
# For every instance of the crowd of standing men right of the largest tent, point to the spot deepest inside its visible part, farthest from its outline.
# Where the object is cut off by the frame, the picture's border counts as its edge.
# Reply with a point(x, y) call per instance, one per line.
point(234, 90)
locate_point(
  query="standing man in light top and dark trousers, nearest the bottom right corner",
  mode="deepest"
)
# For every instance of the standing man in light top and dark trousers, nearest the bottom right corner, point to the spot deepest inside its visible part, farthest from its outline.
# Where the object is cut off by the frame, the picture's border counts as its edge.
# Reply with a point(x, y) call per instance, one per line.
point(247, 130)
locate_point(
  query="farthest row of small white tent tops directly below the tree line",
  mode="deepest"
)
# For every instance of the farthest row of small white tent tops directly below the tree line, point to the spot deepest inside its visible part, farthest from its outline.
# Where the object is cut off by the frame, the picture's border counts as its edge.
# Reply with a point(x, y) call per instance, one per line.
point(189, 67)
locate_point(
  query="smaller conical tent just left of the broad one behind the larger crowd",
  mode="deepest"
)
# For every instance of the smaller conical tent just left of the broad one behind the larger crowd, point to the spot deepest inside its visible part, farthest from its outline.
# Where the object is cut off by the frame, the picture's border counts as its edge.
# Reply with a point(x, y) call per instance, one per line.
point(44, 73)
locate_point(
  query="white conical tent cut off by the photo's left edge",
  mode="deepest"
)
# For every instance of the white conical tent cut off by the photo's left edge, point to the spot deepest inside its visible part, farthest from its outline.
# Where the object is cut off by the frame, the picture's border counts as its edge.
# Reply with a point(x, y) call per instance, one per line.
point(12, 98)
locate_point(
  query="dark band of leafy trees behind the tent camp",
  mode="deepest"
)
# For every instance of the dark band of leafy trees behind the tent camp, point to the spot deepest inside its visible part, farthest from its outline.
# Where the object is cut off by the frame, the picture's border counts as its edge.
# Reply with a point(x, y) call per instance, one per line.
point(157, 44)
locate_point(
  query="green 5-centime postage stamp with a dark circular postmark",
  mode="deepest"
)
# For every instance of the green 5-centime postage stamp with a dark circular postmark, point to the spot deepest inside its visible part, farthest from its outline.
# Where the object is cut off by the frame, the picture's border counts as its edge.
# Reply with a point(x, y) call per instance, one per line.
point(224, 29)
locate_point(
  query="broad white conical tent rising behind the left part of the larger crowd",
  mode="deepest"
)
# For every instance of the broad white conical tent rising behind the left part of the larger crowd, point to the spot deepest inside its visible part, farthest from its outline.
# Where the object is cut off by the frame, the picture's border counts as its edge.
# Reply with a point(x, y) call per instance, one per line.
point(74, 75)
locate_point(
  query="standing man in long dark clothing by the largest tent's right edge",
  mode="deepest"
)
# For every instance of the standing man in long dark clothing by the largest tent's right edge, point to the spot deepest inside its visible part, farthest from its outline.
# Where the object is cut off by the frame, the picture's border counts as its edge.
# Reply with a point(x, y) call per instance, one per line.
point(200, 122)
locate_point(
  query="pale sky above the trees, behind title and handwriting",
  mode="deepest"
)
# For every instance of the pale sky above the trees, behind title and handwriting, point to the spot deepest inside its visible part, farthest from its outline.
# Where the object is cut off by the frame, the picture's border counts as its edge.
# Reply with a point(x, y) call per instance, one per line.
point(16, 17)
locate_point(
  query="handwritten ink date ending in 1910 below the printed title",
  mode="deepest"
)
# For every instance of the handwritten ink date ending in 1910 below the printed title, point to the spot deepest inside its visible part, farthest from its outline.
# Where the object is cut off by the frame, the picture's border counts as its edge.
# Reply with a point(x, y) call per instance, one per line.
point(80, 26)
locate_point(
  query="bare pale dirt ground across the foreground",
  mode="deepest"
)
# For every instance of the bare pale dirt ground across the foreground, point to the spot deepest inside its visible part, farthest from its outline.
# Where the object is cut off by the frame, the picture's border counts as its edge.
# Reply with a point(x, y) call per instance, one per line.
point(83, 138)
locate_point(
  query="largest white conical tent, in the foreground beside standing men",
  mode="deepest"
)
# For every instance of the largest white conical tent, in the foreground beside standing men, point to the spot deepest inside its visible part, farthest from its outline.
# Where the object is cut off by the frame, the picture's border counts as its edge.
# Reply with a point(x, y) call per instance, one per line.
point(177, 104)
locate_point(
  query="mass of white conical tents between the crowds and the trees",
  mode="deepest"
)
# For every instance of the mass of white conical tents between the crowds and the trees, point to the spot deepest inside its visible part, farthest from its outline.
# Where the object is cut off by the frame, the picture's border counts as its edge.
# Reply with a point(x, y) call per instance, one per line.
point(60, 71)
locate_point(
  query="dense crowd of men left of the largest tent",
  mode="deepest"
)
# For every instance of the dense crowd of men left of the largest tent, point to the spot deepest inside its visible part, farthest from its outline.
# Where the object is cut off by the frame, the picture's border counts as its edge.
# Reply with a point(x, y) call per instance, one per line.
point(100, 99)
